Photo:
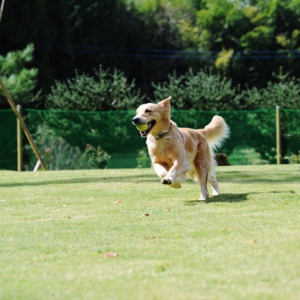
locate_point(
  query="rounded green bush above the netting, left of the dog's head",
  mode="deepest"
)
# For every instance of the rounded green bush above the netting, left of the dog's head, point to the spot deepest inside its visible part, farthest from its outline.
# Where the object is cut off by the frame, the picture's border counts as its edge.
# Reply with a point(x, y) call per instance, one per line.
point(103, 91)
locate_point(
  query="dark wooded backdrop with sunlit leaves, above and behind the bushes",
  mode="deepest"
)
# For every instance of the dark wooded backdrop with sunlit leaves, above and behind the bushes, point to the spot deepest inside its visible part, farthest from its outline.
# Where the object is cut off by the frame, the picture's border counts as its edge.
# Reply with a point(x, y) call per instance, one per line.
point(248, 40)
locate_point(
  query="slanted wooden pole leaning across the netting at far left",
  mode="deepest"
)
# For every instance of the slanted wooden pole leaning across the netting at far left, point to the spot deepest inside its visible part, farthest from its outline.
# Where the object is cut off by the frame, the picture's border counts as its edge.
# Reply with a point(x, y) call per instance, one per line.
point(23, 125)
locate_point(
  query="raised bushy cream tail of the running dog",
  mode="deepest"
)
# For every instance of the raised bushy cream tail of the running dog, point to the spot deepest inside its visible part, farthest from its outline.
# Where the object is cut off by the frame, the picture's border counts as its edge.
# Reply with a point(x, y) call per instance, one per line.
point(216, 132)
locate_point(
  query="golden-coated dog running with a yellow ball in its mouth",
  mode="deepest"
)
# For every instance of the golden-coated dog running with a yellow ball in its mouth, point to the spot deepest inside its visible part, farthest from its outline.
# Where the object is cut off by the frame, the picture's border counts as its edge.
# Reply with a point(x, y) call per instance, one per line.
point(177, 152)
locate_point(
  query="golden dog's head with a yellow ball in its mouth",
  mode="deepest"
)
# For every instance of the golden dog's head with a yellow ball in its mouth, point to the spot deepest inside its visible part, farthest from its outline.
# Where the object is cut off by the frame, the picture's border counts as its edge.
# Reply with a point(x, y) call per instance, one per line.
point(155, 117)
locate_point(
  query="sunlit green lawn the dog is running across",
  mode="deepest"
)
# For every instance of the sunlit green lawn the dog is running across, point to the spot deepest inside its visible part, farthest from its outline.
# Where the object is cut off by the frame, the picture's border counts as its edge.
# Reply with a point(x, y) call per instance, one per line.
point(120, 234)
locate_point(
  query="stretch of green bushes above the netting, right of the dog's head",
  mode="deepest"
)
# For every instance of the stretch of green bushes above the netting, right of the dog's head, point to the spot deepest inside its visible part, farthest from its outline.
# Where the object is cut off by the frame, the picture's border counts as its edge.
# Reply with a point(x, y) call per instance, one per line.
point(214, 92)
